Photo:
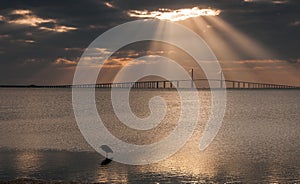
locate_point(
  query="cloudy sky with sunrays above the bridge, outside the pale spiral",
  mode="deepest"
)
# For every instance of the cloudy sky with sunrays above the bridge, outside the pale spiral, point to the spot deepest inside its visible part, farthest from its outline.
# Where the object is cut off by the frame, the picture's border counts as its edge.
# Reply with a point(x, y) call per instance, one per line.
point(41, 41)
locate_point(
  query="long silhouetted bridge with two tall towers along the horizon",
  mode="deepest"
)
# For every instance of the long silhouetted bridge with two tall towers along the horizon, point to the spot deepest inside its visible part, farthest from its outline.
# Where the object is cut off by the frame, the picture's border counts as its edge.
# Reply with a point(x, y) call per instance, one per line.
point(166, 84)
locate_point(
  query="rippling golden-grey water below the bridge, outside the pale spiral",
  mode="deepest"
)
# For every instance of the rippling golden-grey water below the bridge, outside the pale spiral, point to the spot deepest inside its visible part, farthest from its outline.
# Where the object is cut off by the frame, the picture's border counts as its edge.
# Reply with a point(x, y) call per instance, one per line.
point(259, 141)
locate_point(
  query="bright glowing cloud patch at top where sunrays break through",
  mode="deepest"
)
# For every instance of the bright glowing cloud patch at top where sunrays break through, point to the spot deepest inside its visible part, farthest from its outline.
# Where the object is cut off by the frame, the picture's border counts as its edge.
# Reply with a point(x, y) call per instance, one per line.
point(174, 15)
